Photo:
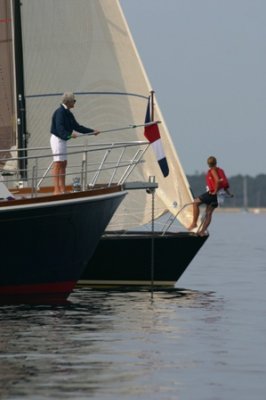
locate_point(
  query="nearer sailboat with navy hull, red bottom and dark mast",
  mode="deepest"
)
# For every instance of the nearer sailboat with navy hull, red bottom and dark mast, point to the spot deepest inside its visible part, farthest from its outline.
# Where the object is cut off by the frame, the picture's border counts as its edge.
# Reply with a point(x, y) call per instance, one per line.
point(46, 240)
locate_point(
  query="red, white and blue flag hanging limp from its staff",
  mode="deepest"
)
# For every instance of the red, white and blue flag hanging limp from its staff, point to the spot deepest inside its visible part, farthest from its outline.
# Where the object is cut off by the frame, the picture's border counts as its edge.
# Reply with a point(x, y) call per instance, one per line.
point(152, 134)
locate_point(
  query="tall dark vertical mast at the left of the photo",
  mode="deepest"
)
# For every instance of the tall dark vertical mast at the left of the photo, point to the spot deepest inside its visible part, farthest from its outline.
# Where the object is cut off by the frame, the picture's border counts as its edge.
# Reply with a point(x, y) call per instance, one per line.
point(19, 93)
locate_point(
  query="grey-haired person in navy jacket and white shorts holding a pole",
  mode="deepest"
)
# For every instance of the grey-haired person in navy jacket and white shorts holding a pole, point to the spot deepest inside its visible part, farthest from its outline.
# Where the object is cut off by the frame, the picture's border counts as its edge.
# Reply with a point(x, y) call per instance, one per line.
point(62, 127)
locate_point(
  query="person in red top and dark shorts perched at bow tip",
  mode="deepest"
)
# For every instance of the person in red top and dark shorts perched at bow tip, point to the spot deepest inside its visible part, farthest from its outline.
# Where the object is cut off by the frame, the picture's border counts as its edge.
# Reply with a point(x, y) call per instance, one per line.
point(215, 180)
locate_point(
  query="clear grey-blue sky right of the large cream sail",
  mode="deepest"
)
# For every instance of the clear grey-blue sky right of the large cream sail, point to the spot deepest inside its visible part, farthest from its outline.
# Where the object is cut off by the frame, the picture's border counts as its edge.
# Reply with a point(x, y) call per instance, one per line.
point(206, 61)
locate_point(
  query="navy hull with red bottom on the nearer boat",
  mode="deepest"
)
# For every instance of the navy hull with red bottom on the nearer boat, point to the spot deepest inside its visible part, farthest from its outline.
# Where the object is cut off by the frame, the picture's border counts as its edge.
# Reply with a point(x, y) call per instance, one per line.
point(47, 243)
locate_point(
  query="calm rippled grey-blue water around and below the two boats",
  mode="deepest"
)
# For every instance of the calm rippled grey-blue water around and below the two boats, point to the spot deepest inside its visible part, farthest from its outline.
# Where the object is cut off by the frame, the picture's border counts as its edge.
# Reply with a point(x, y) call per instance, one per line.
point(205, 341)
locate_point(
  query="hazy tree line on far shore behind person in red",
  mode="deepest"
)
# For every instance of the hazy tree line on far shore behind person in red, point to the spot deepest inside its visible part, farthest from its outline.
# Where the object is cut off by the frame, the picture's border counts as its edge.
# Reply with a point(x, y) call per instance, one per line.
point(248, 191)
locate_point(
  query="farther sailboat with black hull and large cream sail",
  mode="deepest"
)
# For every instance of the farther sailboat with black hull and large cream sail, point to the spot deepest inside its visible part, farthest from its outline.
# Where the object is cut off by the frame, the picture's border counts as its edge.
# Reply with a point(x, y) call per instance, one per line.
point(86, 47)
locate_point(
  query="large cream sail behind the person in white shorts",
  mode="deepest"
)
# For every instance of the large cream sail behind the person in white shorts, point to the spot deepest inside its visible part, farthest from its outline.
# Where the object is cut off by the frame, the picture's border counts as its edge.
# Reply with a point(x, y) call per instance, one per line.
point(85, 46)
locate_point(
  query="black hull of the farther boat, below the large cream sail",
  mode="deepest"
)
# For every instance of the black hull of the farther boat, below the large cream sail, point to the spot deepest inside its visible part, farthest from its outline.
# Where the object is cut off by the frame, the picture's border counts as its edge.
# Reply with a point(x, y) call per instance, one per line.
point(127, 259)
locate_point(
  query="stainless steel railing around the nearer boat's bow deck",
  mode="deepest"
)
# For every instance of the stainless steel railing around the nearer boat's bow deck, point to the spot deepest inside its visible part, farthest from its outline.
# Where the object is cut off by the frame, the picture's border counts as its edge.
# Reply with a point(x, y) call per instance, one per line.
point(104, 164)
